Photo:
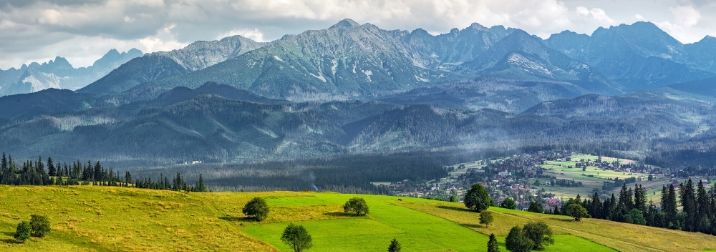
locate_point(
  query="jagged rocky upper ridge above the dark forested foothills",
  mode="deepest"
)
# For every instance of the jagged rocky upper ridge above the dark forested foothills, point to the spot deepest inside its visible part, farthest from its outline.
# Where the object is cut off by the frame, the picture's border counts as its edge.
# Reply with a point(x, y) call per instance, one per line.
point(350, 60)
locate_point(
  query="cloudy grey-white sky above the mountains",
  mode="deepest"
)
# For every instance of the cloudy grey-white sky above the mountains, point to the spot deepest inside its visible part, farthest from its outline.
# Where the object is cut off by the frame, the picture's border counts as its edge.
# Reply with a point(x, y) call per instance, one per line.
point(83, 30)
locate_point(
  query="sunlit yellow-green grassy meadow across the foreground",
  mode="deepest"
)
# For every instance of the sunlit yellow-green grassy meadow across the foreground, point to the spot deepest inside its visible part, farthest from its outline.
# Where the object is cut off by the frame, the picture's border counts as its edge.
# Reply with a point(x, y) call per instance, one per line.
point(91, 218)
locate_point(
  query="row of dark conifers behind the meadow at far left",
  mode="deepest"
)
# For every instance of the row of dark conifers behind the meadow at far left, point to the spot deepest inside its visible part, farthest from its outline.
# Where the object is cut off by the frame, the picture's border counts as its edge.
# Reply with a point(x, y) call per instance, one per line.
point(41, 172)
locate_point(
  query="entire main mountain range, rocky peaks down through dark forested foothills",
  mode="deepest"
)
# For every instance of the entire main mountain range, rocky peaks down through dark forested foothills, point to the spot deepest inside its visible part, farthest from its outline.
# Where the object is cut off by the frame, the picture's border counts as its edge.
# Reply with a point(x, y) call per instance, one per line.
point(356, 88)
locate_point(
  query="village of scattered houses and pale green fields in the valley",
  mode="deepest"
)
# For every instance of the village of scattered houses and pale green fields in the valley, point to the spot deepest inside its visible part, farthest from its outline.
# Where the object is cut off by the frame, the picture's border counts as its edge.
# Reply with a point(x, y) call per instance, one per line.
point(546, 177)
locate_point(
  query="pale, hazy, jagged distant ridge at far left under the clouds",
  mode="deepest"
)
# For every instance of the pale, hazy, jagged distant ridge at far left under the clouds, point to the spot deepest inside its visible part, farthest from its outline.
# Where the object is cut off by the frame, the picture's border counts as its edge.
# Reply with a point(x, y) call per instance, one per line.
point(60, 74)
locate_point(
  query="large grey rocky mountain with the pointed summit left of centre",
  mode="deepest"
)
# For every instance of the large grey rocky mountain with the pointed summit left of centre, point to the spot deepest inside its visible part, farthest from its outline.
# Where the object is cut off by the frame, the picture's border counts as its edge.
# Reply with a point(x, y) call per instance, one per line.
point(345, 60)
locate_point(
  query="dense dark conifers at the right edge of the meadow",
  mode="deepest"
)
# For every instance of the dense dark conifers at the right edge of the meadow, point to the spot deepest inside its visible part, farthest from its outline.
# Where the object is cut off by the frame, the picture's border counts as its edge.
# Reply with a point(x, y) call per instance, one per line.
point(697, 212)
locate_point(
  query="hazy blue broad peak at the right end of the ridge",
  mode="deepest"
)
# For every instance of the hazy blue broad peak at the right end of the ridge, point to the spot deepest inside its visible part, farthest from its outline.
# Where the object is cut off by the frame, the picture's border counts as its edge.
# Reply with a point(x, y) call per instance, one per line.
point(637, 56)
